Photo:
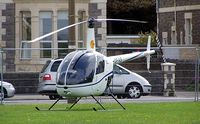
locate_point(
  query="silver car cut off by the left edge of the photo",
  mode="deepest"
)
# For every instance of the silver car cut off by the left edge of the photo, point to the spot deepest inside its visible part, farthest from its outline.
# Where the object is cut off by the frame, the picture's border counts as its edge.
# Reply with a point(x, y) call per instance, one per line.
point(8, 89)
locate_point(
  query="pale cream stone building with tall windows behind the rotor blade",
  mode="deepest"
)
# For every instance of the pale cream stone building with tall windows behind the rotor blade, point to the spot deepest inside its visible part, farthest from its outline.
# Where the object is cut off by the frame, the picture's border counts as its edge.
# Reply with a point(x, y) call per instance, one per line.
point(23, 20)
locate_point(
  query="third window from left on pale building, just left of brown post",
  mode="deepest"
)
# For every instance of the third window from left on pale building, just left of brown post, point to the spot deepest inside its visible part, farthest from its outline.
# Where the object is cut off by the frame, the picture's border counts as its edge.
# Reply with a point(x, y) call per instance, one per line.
point(62, 36)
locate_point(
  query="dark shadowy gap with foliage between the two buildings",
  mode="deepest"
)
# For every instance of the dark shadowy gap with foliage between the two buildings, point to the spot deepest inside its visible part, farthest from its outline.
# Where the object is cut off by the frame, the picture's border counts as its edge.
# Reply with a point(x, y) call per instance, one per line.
point(144, 10)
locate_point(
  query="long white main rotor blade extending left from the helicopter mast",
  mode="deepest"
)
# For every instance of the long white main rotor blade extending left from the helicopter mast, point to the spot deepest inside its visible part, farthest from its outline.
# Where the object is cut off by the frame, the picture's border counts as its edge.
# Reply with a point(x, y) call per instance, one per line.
point(56, 31)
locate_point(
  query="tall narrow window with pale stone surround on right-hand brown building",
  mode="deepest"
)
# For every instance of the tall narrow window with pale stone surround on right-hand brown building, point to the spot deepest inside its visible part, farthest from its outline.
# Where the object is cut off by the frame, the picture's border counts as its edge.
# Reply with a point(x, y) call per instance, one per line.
point(188, 28)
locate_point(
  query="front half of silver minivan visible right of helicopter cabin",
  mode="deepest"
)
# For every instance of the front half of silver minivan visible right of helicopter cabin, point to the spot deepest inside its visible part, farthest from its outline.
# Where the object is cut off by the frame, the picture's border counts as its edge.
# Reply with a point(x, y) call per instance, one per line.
point(128, 84)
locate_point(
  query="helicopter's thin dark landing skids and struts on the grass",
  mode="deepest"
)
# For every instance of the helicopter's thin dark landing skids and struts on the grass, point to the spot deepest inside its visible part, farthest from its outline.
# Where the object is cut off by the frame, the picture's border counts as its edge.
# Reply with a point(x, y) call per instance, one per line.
point(50, 108)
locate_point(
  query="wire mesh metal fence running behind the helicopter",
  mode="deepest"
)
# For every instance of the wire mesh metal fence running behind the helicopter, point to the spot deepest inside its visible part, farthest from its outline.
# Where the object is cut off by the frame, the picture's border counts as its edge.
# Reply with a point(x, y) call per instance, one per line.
point(23, 72)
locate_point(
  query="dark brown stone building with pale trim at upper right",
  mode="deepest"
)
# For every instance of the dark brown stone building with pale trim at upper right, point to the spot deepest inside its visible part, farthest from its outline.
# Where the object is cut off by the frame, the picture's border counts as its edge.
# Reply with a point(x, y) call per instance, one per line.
point(179, 25)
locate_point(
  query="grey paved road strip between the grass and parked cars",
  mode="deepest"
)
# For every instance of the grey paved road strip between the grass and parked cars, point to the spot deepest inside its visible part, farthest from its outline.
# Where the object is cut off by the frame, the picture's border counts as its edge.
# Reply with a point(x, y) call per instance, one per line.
point(38, 99)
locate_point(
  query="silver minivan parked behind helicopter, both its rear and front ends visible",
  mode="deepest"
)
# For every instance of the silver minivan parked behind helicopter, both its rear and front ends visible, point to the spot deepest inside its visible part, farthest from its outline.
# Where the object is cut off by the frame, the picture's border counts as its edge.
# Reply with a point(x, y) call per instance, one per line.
point(125, 83)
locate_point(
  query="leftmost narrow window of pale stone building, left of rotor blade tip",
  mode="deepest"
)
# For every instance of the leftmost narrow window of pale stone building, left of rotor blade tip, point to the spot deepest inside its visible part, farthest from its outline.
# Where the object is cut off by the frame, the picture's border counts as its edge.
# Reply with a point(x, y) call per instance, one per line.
point(25, 18)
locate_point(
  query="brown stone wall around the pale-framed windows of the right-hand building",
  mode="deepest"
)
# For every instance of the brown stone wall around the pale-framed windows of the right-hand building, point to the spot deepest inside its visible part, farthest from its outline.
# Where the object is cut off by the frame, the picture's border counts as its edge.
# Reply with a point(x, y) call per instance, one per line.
point(167, 13)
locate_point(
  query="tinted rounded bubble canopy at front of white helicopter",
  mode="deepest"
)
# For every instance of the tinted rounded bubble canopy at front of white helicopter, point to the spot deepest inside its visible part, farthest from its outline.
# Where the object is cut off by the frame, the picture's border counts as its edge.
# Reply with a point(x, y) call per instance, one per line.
point(77, 67)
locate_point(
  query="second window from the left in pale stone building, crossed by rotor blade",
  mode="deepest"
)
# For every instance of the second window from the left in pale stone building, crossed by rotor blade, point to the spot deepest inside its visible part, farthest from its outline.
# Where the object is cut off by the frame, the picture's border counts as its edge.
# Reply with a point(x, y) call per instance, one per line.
point(45, 28)
